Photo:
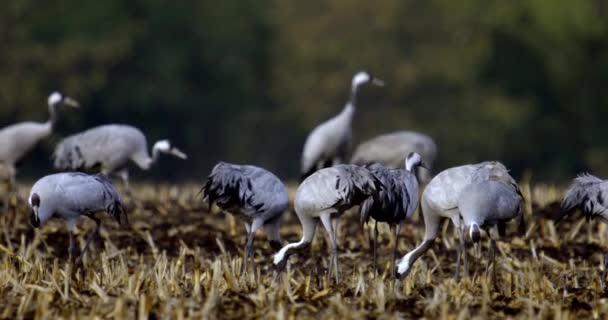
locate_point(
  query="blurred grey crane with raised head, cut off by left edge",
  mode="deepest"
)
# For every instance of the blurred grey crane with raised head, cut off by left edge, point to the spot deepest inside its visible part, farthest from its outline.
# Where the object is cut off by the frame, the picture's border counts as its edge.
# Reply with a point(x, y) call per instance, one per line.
point(18, 139)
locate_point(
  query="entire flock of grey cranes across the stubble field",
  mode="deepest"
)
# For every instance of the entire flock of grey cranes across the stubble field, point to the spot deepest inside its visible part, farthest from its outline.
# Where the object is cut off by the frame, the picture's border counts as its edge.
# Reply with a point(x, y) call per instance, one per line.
point(381, 180)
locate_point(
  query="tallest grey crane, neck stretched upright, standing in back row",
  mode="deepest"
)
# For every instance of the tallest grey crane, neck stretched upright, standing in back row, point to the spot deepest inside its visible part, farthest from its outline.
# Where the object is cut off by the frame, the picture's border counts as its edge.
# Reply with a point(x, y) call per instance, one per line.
point(330, 142)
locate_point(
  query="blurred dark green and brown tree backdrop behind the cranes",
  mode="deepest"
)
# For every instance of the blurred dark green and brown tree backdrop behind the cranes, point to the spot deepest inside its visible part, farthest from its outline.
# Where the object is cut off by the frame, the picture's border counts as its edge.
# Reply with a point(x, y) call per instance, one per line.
point(246, 80)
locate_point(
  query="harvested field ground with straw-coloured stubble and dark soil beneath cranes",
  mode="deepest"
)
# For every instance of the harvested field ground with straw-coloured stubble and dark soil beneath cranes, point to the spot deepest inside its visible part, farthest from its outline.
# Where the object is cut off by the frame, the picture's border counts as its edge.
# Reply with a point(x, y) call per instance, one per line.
point(177, 260)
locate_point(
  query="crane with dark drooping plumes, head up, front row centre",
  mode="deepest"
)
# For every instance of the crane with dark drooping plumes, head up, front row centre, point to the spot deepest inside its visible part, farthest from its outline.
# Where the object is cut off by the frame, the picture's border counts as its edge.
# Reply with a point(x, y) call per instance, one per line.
point(396, 201)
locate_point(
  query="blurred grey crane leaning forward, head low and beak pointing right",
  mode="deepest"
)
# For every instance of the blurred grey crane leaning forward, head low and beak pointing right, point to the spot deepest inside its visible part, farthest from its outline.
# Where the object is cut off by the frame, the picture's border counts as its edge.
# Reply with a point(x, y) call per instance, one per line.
point(110, 147)
